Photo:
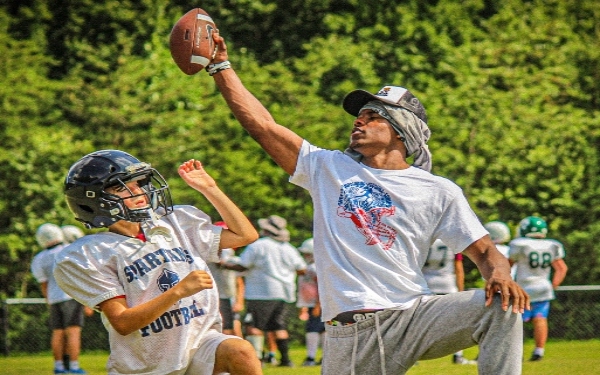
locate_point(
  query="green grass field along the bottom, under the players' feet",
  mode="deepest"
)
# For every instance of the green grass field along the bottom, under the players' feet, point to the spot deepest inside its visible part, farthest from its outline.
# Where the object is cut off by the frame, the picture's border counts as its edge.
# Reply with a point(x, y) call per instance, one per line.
point(562, 358)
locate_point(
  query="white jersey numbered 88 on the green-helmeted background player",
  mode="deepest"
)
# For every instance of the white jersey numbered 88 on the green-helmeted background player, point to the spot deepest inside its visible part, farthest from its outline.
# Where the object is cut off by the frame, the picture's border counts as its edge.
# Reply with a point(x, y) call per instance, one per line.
point(533, 259)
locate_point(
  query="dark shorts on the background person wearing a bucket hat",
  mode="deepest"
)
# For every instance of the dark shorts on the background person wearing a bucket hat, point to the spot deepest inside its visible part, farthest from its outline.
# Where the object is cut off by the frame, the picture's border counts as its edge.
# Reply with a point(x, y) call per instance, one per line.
point(269, 315)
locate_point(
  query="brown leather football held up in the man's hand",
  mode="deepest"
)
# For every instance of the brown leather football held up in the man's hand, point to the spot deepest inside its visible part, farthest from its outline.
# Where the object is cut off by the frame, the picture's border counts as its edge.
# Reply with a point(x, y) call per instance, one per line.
point(191, 41)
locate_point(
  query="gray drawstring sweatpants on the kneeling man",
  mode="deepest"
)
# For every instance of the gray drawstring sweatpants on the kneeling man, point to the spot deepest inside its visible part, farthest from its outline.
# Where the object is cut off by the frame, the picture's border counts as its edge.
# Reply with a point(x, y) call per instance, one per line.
point(394, 340)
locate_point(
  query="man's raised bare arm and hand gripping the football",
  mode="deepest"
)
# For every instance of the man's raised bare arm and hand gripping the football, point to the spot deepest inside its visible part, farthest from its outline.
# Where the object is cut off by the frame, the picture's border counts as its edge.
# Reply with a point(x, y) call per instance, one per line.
point(282, 144)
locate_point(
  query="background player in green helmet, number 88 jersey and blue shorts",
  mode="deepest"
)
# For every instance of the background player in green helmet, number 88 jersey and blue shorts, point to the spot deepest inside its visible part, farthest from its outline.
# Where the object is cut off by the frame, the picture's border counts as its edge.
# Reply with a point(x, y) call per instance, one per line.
point(535, 256)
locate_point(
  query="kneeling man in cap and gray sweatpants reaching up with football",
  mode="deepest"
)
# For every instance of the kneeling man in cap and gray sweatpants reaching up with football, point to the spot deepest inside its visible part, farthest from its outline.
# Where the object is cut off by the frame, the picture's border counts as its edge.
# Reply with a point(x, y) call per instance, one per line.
point(375, 217)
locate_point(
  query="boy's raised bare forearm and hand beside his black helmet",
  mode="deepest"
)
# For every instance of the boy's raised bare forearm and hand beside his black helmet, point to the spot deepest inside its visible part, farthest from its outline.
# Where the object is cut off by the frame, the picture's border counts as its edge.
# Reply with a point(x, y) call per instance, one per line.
point(240, 230)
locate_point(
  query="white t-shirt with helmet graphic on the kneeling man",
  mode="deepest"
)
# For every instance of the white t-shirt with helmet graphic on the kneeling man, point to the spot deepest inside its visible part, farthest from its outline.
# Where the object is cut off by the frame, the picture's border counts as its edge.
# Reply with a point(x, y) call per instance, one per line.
point(373, 228)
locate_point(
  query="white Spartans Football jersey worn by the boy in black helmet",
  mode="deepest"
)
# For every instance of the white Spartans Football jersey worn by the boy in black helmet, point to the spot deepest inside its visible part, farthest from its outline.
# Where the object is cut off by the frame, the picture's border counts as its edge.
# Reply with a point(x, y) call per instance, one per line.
point(106, 265)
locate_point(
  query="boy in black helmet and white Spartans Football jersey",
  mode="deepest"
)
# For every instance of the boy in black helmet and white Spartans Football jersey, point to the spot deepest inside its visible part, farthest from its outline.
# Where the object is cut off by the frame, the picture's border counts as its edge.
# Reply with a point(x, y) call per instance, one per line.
point(148, 273)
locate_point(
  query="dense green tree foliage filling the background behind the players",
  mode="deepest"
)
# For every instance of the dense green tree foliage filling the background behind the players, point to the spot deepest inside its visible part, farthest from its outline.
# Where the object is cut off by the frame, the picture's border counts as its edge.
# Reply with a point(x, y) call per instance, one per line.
point(511, 89)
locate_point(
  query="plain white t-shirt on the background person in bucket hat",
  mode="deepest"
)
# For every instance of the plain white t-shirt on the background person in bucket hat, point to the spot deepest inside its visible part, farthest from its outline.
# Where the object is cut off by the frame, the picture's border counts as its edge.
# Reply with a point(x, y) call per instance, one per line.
point(272, 267)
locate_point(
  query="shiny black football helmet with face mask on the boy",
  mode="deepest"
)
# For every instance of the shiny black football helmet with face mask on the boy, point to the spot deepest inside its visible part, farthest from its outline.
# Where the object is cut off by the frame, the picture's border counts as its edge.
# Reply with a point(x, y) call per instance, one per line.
point(88, 179)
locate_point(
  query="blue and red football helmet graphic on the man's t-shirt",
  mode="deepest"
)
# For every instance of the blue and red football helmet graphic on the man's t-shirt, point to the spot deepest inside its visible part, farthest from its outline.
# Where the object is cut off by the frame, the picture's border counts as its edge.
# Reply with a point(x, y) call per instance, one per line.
point(366, 204)
